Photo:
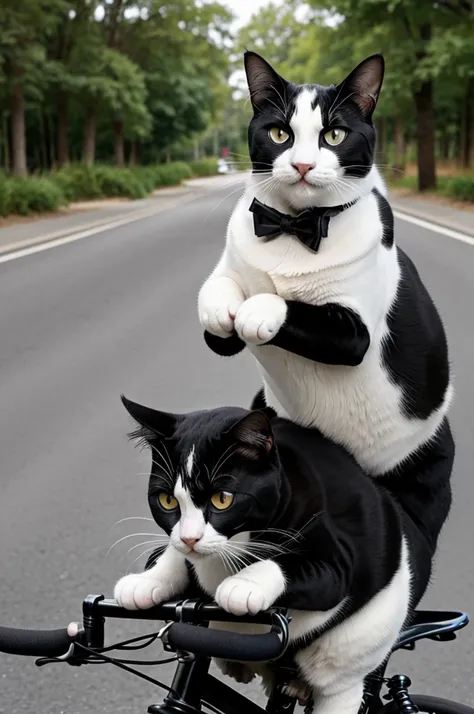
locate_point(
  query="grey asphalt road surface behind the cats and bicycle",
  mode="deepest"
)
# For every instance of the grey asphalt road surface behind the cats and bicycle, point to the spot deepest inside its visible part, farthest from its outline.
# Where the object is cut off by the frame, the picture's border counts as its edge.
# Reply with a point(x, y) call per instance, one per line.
point(81, 323)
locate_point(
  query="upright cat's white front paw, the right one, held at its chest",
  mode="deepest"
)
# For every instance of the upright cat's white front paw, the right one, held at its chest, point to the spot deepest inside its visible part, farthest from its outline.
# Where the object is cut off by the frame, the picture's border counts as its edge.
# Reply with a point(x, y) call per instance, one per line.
point(260, 318)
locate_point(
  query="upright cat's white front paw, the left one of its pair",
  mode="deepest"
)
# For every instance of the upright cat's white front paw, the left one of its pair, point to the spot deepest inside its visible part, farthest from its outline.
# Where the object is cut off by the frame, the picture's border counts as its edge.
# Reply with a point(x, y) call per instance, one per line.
point(219, 301)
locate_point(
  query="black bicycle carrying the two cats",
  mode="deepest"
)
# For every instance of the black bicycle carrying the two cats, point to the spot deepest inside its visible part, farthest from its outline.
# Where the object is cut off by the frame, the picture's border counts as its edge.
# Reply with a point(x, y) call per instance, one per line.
point(187, 636)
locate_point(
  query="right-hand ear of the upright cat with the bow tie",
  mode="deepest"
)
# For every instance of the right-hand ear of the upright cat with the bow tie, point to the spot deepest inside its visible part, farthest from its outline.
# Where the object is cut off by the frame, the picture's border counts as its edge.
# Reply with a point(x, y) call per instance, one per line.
point(363, 84)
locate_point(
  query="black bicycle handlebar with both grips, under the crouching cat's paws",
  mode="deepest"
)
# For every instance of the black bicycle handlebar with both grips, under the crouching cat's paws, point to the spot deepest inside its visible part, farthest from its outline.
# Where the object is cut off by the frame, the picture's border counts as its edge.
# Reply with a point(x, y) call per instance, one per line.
point(182, 634)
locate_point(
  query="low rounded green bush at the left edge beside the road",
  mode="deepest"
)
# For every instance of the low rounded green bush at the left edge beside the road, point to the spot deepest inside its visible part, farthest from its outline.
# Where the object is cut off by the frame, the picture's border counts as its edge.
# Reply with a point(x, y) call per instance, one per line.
point(26, 195)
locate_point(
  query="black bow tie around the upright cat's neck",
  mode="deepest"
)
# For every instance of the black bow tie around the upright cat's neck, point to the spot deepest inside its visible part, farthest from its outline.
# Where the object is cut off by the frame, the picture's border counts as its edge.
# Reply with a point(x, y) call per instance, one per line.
point(309, 226)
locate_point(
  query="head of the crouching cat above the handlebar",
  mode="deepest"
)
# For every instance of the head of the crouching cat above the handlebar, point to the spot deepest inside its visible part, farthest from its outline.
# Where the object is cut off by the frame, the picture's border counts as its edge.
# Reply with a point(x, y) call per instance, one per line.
point(215, 474)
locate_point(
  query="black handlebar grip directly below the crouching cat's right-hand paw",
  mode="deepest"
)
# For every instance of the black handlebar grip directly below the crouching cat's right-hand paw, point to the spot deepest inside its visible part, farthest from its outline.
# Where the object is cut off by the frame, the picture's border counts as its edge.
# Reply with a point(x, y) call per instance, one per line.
point(206, 642)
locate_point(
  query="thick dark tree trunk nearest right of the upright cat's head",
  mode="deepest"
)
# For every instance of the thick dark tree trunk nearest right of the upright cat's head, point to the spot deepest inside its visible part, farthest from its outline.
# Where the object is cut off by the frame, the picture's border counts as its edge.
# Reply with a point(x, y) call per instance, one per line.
point(425, 140)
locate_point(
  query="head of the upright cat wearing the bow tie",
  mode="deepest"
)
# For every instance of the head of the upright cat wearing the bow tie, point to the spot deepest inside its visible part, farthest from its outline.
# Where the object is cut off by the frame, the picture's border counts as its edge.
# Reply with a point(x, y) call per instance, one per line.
point(313, 145)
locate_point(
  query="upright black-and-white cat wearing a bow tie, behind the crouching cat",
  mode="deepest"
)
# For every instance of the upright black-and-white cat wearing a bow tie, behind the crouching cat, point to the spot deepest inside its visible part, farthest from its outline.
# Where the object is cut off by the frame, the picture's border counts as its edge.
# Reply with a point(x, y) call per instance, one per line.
point(344, 332)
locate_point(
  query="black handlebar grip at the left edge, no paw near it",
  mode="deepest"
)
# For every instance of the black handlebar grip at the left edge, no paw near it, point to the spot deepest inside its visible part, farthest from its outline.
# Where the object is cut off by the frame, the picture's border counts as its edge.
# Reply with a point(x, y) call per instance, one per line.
point(34, 643)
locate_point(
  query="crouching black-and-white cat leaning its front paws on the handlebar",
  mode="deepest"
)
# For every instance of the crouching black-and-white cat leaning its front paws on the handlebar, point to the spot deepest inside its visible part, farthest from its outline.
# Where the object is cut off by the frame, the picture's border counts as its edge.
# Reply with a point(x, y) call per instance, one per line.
point(260, 511)
